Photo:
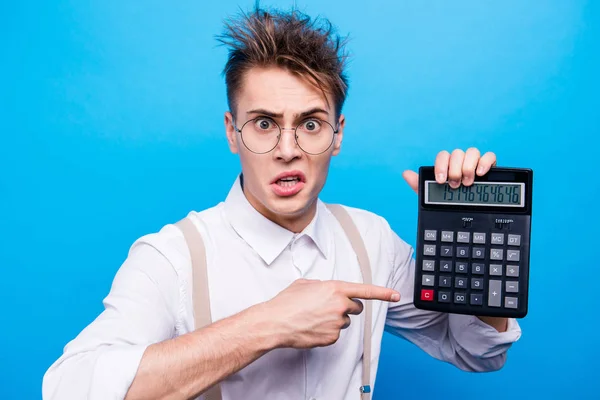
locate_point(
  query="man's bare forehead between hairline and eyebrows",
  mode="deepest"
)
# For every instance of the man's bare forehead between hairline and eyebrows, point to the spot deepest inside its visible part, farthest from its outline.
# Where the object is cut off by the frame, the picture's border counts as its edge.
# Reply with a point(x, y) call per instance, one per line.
point(280, 91)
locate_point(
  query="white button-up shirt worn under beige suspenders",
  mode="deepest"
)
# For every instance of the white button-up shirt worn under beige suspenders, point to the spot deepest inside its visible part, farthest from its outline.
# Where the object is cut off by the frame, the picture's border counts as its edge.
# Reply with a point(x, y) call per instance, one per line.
point(250, 259)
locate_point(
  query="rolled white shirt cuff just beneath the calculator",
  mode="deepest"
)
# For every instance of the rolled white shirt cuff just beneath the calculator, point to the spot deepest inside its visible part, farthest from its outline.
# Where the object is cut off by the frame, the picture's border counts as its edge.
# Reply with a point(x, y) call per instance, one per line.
point(480, 339)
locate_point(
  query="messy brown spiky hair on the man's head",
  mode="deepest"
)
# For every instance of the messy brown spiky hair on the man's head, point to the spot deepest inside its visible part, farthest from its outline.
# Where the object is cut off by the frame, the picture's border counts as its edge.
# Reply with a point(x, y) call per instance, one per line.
point(310, 48)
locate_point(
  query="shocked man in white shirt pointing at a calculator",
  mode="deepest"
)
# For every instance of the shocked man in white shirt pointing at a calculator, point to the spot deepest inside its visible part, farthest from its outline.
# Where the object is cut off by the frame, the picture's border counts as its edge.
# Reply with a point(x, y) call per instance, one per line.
point(284, 282)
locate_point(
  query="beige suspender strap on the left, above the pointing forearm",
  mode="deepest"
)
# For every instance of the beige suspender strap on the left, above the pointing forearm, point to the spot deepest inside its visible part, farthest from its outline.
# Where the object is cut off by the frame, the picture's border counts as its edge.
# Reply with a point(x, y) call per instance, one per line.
point(200, 294)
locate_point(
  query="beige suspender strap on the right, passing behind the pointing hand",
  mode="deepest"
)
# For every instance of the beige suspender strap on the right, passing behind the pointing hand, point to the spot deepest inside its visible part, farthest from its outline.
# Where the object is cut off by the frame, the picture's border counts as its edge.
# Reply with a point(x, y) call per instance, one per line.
point(358, 245)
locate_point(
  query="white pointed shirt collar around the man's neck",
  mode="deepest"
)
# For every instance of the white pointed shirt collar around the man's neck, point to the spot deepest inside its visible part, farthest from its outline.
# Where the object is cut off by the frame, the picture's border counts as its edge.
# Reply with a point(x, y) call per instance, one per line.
point(267, 238)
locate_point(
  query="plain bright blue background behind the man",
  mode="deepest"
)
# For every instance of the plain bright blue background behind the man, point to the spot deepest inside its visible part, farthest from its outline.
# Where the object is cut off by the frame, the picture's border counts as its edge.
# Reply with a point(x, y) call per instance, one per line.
point(111, 126)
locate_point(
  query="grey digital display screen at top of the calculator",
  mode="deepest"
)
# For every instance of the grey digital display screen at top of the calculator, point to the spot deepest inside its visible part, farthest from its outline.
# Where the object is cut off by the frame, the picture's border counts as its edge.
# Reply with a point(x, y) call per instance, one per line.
point(499, 194)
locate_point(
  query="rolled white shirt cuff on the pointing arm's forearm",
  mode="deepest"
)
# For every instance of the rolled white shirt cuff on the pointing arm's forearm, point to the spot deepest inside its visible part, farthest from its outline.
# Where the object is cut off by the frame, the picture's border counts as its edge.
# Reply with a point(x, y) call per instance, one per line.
point(115, 370)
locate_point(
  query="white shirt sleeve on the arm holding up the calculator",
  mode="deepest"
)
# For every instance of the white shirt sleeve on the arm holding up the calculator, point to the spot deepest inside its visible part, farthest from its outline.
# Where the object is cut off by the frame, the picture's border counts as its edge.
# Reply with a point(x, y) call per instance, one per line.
point(462, 340)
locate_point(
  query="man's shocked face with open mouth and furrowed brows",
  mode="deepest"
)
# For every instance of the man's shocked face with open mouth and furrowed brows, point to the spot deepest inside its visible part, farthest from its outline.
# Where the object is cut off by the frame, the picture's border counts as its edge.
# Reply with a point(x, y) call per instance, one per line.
point(282, 184)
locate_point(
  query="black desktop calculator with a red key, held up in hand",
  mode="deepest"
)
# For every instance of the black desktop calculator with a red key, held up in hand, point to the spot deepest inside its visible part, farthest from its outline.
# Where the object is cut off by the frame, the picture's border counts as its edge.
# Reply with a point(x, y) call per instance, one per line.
point(472, 254)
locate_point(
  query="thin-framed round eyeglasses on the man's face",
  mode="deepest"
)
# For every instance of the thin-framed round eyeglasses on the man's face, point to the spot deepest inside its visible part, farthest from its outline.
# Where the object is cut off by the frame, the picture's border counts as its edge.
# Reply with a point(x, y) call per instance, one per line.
point(261, 135)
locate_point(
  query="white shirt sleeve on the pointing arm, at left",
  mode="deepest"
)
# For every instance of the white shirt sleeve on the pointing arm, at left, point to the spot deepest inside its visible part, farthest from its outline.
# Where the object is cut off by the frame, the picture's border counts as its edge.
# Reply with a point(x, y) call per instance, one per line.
point(140, 309)
